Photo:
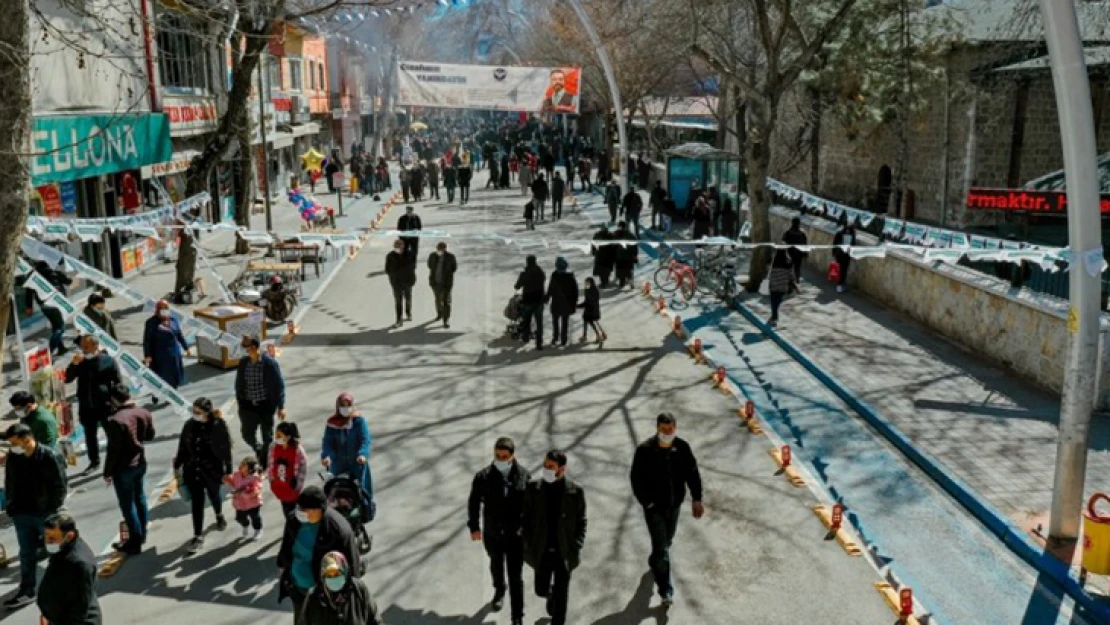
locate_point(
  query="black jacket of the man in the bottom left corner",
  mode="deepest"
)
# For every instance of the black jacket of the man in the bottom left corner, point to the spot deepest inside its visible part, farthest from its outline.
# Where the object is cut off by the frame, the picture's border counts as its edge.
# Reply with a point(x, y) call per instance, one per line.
point(68, 594)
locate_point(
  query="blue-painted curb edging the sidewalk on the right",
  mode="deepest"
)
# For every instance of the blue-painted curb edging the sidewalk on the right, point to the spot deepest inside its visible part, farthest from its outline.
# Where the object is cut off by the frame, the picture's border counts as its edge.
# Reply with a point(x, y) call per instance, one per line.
point(1012, 536)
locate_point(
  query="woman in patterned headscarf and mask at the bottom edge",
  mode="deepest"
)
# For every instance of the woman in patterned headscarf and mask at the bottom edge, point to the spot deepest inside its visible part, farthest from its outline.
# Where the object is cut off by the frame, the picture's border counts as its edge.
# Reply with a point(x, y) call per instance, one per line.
point(340, 599)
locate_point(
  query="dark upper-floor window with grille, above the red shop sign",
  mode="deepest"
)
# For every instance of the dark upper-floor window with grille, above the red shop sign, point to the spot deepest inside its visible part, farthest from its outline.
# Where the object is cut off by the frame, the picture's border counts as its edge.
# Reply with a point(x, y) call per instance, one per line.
point(183, 54)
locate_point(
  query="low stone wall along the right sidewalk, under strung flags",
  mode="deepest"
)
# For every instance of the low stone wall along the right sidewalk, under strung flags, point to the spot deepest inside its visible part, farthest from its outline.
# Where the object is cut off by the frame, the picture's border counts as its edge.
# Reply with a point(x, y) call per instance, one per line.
point(1017, 329)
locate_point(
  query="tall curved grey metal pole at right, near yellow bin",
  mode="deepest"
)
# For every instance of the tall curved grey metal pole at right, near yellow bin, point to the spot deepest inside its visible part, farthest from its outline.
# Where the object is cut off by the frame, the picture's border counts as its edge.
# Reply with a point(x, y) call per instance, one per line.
point(1081, 382)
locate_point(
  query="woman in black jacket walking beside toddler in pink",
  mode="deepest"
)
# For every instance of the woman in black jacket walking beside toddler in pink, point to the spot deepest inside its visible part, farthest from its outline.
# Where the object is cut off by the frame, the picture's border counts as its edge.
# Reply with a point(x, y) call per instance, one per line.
point(204, 462)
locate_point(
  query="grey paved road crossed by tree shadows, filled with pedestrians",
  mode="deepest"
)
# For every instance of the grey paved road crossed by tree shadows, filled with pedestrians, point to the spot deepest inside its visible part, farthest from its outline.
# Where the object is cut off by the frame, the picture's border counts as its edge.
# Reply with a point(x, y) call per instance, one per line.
point(438, 399)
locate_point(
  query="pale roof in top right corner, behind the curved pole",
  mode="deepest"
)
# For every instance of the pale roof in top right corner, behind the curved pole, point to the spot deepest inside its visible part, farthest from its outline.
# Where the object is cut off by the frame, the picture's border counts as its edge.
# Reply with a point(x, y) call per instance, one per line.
point(990, 22)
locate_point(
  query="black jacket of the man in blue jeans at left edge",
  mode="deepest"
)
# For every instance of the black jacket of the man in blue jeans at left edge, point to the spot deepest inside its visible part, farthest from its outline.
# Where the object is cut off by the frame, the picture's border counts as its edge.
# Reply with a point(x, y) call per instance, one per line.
point(35, 485)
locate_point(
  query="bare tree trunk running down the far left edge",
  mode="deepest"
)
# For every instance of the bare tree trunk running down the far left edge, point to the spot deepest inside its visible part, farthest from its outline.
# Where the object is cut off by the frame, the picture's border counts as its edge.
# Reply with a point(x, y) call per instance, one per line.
point(15, 137)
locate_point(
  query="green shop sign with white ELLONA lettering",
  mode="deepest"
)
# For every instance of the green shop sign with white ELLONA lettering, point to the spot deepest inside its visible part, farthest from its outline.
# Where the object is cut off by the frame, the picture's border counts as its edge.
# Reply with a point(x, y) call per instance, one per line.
point(76, 147)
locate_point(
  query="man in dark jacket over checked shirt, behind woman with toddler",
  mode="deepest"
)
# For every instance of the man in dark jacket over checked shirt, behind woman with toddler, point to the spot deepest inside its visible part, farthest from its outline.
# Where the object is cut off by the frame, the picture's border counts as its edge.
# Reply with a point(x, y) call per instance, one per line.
point(260, 390)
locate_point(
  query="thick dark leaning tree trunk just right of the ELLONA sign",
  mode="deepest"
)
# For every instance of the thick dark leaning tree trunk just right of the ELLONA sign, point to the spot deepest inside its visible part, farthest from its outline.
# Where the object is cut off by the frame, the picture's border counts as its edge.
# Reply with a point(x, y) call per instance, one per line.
point(200, 169)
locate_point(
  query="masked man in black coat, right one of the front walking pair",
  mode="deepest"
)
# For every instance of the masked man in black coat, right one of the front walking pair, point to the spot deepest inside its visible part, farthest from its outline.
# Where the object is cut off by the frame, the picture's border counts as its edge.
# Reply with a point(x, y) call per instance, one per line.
point(554, 532)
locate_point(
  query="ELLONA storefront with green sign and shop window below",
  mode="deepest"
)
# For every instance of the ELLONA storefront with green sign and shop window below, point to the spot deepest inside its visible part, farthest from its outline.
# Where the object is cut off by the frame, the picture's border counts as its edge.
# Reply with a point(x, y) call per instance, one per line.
point(90, 167)
